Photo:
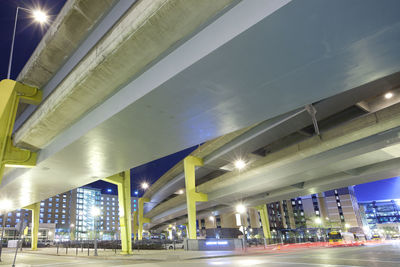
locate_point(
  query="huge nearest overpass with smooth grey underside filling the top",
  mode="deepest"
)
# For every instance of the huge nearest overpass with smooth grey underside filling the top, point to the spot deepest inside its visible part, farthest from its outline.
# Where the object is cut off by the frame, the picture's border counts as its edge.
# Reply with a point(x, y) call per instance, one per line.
point(128, 82)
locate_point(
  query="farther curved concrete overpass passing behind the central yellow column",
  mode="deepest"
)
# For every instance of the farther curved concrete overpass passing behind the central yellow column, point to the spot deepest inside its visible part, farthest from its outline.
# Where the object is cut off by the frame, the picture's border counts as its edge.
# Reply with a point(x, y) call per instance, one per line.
point(288, 160)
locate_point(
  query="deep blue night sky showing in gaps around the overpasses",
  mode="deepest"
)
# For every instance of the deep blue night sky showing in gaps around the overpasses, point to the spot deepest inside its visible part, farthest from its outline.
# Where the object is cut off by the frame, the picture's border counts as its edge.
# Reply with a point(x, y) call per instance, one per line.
point(29, 35)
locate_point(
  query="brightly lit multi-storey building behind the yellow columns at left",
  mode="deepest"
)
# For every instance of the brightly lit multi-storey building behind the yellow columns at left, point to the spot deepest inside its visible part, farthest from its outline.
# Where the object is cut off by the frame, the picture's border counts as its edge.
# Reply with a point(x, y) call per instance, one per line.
point(69, 216)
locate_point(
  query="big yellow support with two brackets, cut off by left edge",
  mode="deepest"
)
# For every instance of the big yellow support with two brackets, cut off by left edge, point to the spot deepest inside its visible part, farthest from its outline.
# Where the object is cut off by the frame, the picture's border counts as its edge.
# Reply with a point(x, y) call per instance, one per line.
point(11, 92)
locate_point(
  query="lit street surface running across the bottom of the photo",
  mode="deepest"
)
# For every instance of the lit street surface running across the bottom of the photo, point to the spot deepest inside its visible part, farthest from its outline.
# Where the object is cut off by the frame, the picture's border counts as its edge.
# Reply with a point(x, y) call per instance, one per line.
point(381, 255)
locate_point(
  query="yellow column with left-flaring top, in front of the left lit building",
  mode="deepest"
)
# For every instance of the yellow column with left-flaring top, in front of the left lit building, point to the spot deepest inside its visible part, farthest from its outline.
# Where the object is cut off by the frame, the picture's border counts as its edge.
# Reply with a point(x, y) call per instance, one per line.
point(123, 181)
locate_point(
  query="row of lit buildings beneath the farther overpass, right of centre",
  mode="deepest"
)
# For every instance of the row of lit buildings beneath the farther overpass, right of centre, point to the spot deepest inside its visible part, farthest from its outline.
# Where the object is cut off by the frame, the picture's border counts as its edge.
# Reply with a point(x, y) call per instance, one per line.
point(291, 218)
